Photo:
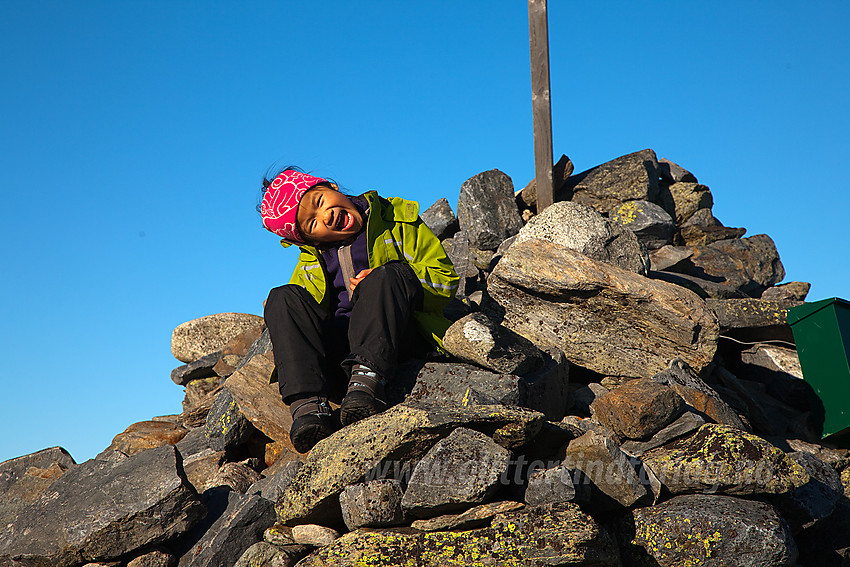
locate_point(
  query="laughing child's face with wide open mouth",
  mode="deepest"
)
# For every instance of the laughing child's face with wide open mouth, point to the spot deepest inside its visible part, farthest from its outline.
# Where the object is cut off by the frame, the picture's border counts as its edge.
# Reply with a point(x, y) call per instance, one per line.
point(327, 216)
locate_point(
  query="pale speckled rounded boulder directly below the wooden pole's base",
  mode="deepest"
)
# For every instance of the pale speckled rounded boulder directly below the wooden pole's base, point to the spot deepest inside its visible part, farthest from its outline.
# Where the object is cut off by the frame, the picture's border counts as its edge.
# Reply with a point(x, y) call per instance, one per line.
point(584, 230)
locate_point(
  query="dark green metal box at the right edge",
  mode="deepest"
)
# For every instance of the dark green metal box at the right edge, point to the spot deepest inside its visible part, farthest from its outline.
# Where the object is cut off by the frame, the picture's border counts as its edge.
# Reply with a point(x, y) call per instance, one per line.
point(822, 333)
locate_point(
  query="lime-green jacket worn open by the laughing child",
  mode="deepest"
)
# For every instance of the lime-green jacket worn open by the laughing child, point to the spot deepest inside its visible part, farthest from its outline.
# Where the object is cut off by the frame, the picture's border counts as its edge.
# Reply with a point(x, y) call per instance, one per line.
point(394, 232)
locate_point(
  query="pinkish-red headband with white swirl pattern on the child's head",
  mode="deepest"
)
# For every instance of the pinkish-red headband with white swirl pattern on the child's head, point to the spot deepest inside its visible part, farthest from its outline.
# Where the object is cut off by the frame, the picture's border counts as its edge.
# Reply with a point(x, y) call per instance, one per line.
point(280, 203)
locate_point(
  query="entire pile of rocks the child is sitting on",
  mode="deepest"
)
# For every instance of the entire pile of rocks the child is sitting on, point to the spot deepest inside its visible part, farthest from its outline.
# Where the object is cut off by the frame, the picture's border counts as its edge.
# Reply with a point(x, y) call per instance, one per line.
point(623, 389)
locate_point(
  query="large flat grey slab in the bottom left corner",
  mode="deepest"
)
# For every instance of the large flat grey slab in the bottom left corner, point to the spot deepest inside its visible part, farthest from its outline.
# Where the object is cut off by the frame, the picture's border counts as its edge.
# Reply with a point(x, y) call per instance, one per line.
point(138, 502)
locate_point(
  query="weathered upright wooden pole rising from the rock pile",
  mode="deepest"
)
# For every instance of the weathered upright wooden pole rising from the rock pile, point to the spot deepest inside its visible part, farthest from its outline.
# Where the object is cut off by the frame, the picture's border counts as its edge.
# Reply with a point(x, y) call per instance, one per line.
point(538, 33)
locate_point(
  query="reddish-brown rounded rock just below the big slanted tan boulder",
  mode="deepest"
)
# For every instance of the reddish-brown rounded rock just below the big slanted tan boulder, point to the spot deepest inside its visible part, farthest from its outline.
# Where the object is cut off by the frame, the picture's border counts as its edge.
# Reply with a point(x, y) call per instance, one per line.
point(638, 408)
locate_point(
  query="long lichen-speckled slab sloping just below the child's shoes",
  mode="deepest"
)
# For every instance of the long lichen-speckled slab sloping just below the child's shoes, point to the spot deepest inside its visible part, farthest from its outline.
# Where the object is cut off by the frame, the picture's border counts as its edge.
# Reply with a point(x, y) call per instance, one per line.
point(345, 457)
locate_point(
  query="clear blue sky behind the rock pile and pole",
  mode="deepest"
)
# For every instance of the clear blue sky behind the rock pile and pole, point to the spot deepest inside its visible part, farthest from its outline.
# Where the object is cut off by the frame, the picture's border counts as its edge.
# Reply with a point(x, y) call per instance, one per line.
point(133, 137)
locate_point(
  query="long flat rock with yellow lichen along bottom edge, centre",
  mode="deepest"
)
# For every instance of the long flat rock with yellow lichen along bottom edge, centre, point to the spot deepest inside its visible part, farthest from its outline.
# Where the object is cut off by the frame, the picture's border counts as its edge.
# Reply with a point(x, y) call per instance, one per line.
point(532, 537)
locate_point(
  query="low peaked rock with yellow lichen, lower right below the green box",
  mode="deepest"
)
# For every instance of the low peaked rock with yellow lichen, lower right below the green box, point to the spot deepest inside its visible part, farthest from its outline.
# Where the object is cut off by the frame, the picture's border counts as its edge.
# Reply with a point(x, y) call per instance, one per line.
point(719, 458)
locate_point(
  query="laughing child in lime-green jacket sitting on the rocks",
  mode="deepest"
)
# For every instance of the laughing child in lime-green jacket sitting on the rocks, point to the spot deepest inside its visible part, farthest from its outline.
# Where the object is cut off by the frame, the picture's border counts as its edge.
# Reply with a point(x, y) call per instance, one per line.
point(369, 271)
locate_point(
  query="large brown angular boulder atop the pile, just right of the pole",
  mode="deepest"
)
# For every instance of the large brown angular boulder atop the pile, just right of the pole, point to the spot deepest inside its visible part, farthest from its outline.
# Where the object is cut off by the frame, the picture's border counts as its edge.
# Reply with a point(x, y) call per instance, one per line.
point(632, 177)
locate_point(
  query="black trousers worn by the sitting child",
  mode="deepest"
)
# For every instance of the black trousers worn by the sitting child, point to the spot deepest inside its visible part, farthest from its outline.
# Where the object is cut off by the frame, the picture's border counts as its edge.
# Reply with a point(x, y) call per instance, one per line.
point(314, 351)
